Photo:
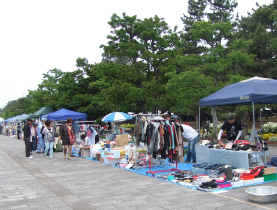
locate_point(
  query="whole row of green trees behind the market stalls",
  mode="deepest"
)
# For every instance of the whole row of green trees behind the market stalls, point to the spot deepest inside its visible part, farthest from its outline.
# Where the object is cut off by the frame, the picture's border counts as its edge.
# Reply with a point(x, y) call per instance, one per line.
point(146, 66)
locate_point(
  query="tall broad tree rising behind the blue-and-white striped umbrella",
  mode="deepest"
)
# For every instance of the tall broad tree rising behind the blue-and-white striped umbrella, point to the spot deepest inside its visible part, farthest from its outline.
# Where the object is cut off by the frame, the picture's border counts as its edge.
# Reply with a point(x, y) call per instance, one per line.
point(148, 48)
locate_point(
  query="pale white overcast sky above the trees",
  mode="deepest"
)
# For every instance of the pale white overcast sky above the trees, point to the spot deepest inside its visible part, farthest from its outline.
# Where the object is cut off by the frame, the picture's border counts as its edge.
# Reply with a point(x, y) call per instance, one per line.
point(39, 35)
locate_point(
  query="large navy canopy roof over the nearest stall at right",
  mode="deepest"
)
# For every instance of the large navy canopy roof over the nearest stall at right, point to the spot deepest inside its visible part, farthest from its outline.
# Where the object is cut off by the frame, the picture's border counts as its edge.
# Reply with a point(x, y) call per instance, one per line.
point(258, 90)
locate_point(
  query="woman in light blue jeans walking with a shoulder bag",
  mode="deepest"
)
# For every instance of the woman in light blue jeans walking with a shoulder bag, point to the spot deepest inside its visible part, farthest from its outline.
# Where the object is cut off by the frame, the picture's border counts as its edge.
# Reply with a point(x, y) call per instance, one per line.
point(49, 139)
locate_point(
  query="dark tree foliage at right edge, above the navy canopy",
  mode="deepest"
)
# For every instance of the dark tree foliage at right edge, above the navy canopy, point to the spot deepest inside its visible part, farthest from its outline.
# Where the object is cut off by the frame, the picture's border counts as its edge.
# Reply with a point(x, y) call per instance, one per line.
point(260, 28)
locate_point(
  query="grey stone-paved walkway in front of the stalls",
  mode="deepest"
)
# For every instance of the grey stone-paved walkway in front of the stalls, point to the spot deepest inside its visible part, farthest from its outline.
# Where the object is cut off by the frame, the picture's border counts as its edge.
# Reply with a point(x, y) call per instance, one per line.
point(44, 183)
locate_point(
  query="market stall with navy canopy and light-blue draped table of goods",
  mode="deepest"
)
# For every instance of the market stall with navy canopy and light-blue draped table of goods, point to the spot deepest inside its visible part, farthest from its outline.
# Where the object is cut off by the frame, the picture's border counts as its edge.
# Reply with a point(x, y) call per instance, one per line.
point(243, 158)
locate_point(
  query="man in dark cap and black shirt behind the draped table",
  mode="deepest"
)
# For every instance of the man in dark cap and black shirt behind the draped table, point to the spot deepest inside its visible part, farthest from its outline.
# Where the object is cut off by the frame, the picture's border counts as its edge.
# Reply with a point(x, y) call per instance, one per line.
point(233, 127)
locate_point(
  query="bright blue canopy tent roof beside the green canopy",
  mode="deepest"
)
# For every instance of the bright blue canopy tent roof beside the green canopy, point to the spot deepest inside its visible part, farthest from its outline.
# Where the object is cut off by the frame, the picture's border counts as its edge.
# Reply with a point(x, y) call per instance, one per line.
point(63, 114)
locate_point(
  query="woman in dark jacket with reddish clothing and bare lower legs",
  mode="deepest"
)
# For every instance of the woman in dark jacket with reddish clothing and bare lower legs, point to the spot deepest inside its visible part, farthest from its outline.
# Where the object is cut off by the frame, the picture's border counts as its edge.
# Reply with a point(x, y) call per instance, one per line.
point(67, 136)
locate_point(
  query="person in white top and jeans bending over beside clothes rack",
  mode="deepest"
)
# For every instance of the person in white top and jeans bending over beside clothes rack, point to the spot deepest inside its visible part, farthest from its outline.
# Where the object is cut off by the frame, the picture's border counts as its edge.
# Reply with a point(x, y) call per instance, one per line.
point(193, 137)
